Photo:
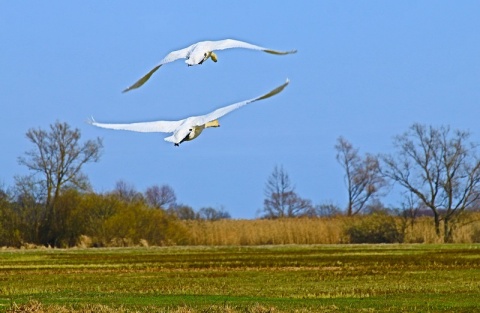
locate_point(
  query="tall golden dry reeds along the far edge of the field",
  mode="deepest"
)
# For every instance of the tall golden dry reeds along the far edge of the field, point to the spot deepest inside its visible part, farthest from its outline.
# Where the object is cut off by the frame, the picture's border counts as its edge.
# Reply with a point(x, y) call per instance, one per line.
point(314, 231)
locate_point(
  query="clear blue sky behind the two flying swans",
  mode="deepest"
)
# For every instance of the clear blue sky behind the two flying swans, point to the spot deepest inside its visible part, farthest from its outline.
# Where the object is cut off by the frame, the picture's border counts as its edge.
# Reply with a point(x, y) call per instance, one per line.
point(365, 70)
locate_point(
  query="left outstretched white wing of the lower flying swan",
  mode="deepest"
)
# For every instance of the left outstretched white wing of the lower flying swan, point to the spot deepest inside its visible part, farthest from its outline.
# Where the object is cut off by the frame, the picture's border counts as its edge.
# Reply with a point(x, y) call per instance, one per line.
point(143, 127)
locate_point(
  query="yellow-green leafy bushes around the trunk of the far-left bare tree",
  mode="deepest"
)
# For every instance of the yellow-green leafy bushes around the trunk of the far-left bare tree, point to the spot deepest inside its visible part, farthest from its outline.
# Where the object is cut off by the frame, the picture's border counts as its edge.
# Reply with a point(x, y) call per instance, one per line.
point(97, 220)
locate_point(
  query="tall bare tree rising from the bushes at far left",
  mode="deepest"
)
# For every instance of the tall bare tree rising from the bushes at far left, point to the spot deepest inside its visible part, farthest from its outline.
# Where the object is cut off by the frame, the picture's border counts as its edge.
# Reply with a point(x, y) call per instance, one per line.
point(58, 157)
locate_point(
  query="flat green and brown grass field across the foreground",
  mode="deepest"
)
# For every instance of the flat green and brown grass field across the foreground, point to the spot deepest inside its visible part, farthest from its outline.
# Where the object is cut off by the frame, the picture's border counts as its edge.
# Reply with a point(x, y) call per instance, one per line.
point(321, 278)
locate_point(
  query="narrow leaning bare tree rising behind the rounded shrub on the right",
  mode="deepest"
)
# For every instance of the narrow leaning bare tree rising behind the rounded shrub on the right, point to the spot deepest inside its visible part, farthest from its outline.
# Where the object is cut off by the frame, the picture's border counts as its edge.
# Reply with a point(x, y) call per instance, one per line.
point(362, 176)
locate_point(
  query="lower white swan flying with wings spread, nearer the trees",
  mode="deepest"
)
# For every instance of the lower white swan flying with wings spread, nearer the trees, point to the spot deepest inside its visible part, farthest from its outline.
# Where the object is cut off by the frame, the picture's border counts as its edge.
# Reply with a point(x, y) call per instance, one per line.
point(190, 127)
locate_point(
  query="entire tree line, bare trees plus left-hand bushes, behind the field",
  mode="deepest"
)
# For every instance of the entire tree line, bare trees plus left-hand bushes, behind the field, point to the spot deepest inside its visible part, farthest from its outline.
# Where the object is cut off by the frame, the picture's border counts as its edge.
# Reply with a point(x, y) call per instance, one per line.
point(438, 170)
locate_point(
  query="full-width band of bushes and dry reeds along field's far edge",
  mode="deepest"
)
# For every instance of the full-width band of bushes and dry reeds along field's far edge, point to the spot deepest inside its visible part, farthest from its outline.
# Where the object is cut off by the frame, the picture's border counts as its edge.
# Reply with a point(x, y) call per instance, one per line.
point(113, 220)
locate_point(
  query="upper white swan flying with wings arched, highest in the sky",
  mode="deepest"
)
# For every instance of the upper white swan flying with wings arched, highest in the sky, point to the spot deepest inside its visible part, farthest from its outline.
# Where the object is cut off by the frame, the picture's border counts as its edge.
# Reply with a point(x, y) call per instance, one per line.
point(200, 52)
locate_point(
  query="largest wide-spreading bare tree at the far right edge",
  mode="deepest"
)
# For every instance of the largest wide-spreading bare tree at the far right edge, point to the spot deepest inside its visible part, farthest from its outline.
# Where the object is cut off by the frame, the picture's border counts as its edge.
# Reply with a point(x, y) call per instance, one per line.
point(439, 167)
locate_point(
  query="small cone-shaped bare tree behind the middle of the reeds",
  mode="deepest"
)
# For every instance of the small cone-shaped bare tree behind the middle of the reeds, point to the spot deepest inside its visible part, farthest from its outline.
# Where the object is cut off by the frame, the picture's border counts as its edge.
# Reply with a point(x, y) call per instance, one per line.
point(281, 199)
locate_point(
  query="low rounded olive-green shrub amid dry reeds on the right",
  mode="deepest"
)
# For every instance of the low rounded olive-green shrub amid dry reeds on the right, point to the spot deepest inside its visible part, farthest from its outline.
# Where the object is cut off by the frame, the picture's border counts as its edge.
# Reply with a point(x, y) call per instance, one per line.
point(375, 228)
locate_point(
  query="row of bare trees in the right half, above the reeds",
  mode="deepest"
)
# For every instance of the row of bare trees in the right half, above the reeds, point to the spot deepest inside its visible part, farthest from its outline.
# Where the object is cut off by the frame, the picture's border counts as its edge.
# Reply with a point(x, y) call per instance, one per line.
point(438, 170)
